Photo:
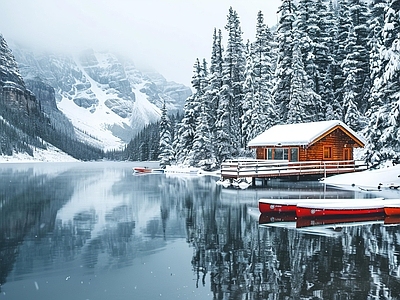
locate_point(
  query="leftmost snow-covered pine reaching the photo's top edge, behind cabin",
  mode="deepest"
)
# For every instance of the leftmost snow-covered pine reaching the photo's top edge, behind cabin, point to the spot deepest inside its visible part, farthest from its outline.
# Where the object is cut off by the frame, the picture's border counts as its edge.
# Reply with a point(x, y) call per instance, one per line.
point(284, 72)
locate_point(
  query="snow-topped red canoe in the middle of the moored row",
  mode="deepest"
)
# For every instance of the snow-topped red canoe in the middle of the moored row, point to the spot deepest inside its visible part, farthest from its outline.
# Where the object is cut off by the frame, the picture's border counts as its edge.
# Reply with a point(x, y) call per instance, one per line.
point(341, 208)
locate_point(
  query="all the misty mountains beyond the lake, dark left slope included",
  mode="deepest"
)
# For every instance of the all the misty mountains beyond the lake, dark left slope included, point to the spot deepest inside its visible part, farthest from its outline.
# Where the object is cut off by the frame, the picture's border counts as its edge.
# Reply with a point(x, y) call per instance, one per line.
point(81, 105)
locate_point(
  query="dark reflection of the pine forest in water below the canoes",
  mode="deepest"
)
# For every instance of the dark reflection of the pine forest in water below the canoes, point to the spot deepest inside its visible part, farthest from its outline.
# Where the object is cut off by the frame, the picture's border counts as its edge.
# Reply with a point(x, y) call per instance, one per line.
point(243, 260)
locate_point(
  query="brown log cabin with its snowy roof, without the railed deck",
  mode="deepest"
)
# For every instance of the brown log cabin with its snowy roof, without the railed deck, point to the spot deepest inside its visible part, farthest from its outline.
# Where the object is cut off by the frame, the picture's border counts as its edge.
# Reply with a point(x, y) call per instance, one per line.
point(315, 141)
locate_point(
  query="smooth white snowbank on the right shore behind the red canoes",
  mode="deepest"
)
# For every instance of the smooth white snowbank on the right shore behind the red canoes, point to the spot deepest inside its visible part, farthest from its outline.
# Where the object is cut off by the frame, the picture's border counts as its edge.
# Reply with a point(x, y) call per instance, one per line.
point(387, 176)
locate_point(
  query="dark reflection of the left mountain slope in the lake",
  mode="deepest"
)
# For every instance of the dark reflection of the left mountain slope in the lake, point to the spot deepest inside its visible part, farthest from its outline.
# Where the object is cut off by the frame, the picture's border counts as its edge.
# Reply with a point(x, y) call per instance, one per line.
point(28, 207)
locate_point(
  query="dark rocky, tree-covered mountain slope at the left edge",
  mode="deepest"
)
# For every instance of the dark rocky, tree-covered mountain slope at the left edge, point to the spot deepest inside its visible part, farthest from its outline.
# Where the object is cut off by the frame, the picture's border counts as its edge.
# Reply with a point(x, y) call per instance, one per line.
point(25, 127)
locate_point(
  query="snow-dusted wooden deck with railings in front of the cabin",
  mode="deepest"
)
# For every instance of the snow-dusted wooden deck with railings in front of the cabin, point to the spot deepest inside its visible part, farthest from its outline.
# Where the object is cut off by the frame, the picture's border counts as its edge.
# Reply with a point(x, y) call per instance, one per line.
point(262, 169)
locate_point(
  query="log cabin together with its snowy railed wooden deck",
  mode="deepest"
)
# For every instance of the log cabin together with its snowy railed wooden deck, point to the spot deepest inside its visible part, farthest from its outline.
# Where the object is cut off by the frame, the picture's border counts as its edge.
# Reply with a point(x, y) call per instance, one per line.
point(297, 150)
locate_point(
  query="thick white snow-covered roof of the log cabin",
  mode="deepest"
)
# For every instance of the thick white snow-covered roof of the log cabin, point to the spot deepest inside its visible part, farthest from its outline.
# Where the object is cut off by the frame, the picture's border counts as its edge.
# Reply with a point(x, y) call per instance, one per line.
point(301, 134)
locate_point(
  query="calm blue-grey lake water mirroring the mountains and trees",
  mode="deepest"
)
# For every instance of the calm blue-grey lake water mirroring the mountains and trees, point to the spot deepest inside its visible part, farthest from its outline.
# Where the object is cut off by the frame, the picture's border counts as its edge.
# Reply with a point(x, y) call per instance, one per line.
point(97, 231)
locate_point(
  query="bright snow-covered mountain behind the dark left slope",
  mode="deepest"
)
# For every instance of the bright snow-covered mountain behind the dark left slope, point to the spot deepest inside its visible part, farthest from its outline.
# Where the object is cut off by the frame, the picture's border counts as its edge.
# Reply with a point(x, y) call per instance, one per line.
point(105, 97)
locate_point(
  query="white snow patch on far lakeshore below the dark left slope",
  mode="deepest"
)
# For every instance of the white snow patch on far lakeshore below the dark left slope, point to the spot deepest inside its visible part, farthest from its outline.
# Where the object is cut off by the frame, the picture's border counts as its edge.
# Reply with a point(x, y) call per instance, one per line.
point(52, 154)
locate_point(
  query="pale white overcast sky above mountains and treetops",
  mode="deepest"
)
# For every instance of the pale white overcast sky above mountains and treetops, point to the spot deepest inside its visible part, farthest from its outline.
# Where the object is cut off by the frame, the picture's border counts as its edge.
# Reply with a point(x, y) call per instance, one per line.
point(167, 35)
